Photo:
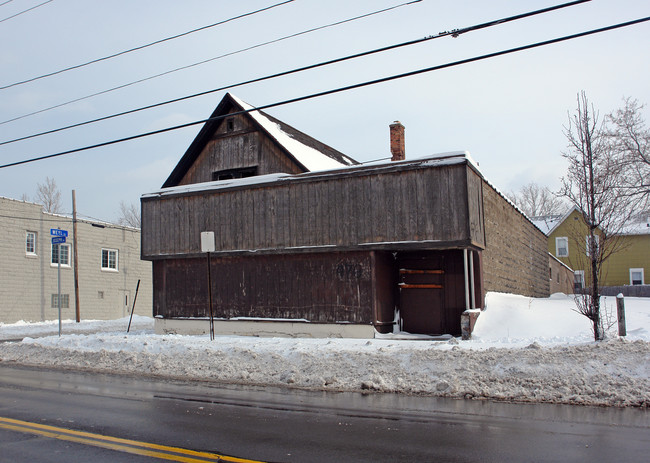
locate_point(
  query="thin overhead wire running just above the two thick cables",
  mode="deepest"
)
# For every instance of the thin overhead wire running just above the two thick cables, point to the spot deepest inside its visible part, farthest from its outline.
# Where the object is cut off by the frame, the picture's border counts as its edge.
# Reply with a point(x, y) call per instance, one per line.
point(119, 87)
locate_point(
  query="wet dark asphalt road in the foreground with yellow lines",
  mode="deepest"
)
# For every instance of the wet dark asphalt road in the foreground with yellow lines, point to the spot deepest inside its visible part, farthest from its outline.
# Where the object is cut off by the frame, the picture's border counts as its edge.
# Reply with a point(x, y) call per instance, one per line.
point(50, 415)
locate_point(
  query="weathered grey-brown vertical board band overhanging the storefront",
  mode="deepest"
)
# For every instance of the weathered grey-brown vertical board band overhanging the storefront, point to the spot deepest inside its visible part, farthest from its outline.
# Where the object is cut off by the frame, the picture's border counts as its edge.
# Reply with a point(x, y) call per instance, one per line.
point(390, 207)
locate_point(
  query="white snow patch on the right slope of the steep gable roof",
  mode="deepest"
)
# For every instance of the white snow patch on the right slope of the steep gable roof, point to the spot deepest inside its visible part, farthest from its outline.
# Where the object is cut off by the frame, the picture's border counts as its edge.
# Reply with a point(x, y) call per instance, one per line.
point(309, 157)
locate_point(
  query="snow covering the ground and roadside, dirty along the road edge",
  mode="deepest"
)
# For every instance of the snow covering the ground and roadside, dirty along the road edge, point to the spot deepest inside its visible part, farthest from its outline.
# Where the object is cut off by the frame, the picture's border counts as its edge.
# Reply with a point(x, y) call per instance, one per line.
point(523, 349)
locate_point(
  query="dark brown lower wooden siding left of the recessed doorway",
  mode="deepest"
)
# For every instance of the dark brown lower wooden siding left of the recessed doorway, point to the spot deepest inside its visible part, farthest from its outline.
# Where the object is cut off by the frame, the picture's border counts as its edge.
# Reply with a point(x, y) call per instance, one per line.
point(321, 287)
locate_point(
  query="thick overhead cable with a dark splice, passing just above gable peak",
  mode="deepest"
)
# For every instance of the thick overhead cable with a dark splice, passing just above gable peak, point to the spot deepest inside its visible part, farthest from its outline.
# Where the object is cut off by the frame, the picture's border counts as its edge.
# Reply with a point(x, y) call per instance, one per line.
point(453, 33)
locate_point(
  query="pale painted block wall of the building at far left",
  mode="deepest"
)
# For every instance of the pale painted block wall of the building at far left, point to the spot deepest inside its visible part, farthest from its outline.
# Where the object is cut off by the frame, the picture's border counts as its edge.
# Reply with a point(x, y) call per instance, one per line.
point(27, 282)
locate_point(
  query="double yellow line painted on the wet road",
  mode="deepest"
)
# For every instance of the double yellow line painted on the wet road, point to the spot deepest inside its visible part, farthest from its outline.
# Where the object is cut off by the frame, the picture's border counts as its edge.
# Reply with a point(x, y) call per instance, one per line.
point(117, 443)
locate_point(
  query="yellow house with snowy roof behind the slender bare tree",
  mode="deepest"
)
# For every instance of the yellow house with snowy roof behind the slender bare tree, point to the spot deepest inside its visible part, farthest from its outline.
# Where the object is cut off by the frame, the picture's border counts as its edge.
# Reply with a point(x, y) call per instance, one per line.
point(628, 264)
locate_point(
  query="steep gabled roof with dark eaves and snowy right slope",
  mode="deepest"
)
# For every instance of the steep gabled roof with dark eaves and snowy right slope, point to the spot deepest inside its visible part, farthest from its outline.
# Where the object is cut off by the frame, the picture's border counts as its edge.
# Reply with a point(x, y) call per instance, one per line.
point(308, 153)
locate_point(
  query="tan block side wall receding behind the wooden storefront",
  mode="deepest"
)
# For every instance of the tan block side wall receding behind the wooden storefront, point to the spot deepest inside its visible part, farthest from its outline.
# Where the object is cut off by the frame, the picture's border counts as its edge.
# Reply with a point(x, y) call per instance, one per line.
point(516, 258)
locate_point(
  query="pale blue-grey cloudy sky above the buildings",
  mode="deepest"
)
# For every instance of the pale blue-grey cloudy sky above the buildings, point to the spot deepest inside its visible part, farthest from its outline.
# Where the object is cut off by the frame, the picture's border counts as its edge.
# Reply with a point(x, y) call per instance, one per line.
point(509, 112)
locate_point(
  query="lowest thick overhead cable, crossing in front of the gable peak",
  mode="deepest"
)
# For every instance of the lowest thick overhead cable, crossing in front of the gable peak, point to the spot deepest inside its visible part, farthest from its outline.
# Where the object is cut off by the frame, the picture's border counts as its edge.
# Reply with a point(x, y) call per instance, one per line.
point(338, 90)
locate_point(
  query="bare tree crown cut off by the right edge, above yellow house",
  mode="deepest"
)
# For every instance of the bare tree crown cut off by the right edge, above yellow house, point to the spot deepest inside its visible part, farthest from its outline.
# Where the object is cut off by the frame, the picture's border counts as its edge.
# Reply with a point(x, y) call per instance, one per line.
point(630, 139)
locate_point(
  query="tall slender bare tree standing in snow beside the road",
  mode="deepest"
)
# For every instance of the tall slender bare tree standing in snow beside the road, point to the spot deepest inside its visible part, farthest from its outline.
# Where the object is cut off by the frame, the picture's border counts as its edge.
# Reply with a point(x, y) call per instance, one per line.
point(593, 186)
